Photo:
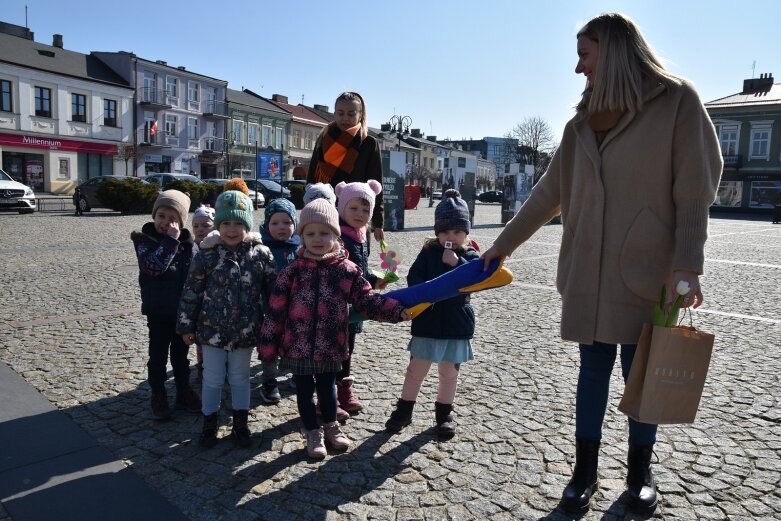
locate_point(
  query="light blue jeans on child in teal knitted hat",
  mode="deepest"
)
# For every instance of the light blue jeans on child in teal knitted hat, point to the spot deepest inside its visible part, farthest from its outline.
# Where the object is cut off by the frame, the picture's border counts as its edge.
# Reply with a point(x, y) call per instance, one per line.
point(217, 363)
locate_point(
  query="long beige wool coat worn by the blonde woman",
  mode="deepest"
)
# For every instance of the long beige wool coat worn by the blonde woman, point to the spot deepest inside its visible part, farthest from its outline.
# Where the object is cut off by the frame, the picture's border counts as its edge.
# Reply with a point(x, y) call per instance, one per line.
point(634, 209)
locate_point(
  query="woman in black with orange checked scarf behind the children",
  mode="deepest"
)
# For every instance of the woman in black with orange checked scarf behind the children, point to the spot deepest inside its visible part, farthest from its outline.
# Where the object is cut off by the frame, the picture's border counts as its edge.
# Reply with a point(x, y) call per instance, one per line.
point(345, 152)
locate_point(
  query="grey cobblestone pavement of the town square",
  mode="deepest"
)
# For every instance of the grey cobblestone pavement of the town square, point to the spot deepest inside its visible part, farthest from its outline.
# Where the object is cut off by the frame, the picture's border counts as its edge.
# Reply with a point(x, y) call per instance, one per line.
point(70, 325)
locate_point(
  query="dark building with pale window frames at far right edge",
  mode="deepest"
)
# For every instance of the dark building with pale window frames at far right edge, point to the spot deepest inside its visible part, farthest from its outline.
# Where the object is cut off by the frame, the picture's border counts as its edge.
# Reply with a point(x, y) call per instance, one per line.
point(748, 125)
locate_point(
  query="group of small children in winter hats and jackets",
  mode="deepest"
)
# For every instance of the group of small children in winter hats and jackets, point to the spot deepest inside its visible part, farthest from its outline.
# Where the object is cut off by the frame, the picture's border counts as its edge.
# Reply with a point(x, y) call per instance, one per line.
point(286, 292)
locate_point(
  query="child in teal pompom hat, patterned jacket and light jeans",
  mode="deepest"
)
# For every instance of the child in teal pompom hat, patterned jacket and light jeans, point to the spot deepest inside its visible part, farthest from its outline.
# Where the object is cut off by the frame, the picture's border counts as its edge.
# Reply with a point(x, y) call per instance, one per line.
point(222, 309)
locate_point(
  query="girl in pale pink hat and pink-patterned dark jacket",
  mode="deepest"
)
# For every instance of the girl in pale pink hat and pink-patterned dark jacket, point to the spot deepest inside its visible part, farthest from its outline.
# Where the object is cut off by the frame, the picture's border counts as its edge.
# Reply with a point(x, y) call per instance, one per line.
point(306, 325)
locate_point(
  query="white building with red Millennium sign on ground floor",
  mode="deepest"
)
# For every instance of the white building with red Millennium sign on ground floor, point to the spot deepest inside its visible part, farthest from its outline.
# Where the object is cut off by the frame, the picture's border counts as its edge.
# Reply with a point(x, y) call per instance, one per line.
point(63, 114)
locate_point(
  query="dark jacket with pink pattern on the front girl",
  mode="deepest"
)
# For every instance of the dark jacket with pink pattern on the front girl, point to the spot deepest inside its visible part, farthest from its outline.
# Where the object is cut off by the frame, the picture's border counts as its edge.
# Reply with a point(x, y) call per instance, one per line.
point(308, 313)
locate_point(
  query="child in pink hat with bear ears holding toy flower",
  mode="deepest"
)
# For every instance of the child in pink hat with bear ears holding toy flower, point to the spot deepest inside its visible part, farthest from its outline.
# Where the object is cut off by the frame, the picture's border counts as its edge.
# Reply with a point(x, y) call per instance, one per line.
point(355, 205)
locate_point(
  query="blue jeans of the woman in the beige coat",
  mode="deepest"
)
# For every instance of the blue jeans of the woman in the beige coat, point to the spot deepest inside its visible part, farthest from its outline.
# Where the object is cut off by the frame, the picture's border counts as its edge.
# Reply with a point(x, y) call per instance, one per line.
point(596, 365)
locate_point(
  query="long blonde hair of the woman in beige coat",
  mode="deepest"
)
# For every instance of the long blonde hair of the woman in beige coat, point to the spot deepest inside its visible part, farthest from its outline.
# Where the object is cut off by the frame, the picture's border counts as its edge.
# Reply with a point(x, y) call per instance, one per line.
point(625, 59)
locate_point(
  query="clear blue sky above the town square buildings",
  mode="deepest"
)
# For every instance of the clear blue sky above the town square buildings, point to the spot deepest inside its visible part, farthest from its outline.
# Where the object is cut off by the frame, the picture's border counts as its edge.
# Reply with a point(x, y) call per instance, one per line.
point(459, 69)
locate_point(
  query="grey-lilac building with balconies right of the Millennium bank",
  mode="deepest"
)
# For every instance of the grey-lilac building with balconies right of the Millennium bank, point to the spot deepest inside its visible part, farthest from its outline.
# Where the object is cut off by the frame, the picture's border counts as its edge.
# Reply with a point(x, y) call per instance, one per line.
point(179, 116)
